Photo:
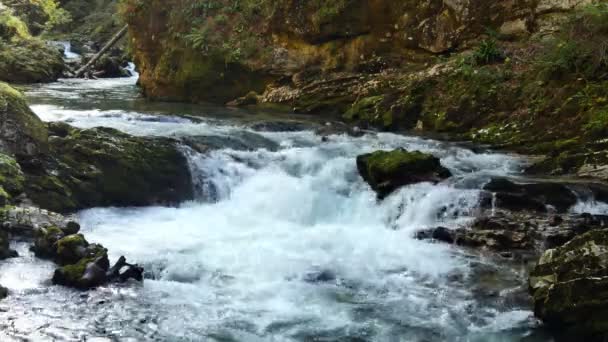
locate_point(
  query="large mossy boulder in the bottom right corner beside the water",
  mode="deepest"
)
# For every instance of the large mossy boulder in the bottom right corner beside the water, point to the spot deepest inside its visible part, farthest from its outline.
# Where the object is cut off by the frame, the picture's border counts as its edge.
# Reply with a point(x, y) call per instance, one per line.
point(570, 286)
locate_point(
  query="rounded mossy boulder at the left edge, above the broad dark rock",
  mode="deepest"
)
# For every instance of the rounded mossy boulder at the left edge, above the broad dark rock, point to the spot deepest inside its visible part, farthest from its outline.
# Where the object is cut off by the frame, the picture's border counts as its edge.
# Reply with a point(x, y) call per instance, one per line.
point(21, 131)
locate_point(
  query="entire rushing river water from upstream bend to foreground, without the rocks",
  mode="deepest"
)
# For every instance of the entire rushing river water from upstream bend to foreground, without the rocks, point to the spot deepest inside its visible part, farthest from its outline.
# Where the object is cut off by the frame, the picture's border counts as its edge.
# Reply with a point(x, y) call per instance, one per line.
point(294, 246)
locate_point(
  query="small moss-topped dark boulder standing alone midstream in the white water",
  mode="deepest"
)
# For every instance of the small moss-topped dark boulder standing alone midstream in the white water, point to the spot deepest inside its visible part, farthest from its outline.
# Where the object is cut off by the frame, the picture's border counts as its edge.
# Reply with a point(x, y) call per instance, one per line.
point(386, 171)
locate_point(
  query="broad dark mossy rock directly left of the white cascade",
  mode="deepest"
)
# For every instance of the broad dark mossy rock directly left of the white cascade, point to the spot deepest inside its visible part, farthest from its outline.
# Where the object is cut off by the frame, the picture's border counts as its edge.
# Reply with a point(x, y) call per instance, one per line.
point(105, 167)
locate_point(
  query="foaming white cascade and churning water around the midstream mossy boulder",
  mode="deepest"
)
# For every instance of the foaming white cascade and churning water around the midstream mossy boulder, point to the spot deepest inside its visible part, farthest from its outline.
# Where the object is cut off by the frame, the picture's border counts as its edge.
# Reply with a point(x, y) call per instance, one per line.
point(295, 244)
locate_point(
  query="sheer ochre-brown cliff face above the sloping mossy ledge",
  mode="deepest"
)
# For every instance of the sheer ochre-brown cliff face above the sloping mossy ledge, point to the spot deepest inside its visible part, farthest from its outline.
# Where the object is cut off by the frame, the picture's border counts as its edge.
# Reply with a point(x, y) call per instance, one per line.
point(216, 51)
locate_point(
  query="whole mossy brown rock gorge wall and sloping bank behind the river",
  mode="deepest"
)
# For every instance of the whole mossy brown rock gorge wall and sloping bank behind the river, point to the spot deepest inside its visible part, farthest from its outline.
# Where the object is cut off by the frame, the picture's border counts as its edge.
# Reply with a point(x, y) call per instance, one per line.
point(525, 75)
